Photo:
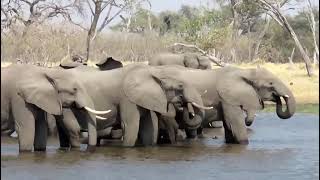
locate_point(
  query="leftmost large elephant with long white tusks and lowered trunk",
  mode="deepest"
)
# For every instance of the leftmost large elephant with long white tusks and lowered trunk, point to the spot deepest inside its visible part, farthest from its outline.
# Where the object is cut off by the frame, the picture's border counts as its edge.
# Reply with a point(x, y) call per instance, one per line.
point(28, 92)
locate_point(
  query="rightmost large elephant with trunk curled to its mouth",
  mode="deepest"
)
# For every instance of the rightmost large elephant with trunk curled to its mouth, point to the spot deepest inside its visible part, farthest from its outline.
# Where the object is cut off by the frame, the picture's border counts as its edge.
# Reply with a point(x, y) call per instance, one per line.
point(232, 91)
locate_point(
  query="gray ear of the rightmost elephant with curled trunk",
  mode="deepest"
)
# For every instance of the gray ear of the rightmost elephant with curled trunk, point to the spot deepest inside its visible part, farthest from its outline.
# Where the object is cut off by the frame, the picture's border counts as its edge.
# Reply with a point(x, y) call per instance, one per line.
point(239, 92)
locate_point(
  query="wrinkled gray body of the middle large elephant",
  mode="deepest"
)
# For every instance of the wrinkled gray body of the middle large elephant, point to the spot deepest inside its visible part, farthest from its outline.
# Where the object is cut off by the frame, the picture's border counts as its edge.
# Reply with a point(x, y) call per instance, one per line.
point(131, 92)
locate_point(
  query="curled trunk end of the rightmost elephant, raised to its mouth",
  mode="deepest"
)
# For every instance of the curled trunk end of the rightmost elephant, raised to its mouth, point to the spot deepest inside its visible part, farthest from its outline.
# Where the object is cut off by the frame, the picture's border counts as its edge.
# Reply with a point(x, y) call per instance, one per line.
point(290, 106)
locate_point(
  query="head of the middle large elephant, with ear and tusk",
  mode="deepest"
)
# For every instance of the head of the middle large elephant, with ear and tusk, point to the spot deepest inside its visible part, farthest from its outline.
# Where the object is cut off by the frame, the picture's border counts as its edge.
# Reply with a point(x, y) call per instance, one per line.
point(155, 91)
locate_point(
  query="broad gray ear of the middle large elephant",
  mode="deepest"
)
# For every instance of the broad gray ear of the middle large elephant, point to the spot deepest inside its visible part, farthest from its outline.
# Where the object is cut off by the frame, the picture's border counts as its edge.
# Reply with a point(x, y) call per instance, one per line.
point(145, 90)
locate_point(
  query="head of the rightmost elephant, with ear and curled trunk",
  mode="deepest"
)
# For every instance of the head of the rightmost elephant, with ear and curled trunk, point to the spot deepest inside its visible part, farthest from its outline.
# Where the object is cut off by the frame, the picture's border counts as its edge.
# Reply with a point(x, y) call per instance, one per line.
point(250, 88)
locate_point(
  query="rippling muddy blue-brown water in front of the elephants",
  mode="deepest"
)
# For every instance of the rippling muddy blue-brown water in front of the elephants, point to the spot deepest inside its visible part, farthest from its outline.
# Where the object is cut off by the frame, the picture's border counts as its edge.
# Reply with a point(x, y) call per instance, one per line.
point(278, 149)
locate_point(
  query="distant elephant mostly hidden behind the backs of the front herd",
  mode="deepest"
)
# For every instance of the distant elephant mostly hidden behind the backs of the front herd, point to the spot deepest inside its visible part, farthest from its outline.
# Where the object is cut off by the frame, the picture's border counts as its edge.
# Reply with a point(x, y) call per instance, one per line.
point(190, 60)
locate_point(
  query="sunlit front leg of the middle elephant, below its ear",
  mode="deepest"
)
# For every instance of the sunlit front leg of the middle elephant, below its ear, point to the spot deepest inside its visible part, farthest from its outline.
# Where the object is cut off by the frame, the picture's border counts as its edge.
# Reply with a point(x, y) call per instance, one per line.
point(130, 117)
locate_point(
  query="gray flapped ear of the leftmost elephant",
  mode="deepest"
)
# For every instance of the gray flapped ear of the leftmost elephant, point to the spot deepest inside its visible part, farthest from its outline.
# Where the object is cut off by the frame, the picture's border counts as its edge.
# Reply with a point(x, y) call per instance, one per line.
point(41, 93)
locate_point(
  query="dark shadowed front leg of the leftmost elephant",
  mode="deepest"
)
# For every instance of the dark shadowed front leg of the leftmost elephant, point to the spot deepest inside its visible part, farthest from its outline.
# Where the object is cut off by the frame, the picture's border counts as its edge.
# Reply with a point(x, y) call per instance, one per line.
point(41, 131)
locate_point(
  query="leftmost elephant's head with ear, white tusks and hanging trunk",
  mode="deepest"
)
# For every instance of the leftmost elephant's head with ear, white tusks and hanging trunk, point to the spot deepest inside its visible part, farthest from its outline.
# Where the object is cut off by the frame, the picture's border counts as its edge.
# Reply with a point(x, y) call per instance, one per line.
point(53, 90)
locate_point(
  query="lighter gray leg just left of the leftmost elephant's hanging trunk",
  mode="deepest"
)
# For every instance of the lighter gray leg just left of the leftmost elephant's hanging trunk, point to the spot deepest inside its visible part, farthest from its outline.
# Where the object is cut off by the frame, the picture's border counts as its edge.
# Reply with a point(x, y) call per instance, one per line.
point(72, 126)
